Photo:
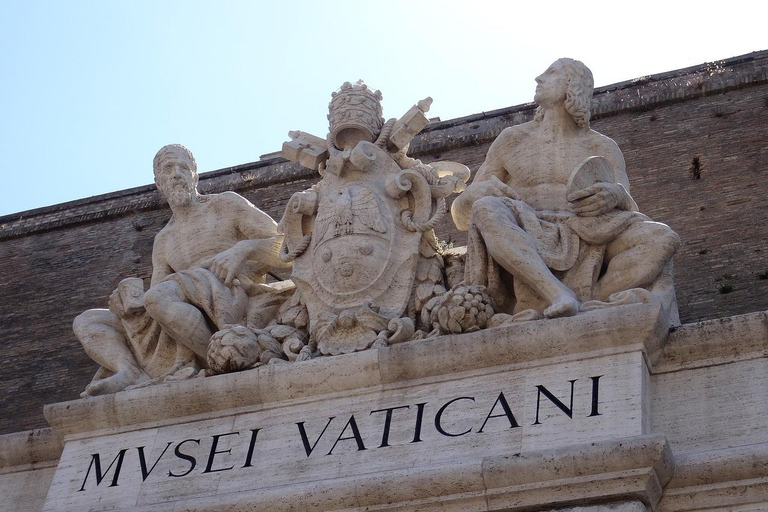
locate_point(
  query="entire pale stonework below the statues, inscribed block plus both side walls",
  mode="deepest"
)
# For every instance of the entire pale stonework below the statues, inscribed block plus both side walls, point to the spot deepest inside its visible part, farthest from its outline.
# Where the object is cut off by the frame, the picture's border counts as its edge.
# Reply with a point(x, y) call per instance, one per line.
point(674, 423)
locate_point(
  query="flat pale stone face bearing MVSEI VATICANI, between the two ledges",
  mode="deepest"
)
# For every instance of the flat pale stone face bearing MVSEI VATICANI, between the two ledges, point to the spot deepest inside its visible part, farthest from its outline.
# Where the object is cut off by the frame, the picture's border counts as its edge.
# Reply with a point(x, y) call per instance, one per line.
point(462, 419)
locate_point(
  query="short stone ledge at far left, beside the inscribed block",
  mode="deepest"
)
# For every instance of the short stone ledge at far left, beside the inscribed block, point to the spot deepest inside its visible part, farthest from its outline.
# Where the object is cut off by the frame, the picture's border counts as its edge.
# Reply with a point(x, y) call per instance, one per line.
point(22, 451)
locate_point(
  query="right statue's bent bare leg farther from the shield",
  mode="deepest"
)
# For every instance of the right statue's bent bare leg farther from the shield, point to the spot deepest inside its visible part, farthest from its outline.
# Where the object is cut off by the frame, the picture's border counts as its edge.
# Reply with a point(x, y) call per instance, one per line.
point(636, 257)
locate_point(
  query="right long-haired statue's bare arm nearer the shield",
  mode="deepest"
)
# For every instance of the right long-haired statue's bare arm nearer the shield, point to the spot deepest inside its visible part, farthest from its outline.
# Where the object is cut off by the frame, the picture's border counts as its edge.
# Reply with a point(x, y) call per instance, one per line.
point(490, 180)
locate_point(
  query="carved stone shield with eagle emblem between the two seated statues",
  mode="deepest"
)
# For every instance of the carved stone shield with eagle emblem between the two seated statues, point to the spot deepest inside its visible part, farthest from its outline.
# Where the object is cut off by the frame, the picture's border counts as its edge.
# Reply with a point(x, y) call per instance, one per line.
point(360, 252)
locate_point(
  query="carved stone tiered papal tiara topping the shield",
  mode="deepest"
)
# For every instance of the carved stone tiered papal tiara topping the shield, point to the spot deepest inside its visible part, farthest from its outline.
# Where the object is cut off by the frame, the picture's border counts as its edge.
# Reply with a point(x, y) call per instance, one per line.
point(355, 107)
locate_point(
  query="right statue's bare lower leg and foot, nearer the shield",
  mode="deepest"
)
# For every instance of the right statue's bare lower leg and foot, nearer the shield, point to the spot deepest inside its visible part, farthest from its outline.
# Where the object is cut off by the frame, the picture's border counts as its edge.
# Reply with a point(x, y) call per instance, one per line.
point(515, 250)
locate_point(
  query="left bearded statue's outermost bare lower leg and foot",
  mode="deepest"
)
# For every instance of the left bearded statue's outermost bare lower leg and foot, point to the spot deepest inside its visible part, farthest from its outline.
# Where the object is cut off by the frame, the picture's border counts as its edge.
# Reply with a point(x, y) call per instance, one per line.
point(103, 338)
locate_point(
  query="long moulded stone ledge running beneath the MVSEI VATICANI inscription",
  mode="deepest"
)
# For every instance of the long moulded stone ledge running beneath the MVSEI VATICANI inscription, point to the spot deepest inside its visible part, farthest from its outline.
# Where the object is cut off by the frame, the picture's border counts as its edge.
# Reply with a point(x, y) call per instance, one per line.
point(632, 469)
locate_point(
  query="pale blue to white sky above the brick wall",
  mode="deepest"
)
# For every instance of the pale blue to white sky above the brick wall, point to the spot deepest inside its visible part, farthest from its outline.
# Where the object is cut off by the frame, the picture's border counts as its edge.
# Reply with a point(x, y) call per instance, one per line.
point(90, 90)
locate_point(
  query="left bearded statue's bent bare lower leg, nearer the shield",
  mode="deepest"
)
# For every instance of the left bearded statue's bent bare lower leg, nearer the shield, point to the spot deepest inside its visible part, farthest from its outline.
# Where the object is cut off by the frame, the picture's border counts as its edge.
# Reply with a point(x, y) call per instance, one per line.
point(185, 323)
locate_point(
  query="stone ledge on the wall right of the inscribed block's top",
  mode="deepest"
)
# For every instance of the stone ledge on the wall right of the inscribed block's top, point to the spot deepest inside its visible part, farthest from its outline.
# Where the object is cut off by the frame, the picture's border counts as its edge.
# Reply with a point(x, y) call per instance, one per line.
point(713, 342)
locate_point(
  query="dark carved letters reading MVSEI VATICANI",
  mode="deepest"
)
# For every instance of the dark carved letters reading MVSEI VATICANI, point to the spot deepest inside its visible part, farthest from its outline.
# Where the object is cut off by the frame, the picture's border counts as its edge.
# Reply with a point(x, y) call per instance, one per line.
point(193, 455)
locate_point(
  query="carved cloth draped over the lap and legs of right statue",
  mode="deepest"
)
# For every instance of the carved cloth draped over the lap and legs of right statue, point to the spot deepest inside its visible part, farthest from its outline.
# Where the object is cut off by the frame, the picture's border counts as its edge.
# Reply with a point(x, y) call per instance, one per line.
point(571, 246)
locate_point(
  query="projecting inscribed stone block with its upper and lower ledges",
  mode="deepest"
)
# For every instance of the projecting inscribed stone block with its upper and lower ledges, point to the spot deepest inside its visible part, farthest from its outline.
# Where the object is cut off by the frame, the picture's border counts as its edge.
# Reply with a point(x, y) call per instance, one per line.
point(521, 417)
